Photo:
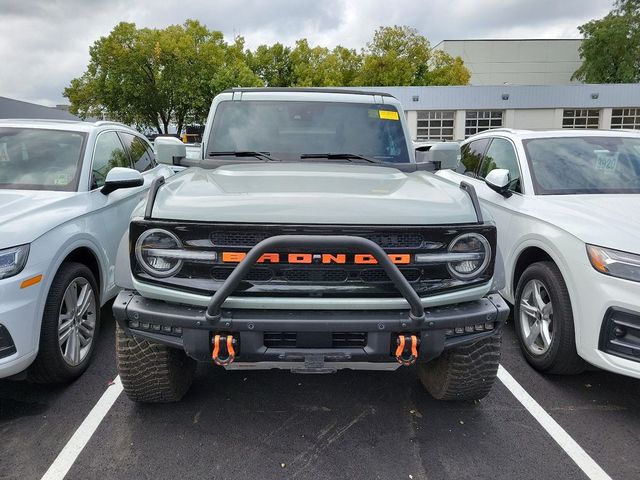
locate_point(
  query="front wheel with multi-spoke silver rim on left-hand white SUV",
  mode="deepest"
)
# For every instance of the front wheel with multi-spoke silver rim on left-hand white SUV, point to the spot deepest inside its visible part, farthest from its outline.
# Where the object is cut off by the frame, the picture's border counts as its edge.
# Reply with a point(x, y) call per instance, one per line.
point(70, 326)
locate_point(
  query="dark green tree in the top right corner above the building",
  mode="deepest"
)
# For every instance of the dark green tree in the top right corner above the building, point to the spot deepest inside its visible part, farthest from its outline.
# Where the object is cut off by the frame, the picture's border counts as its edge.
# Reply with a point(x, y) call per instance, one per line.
point(610, 50)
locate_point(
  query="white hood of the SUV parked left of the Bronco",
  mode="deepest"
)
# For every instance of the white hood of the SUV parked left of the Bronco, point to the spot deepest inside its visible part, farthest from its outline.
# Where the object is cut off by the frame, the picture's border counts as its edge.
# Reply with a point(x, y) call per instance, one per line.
point(27, 214)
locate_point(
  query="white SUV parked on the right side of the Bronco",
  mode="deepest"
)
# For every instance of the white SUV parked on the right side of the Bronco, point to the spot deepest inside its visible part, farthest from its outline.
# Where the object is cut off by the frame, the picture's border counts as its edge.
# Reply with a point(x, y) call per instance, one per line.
point(567, 207)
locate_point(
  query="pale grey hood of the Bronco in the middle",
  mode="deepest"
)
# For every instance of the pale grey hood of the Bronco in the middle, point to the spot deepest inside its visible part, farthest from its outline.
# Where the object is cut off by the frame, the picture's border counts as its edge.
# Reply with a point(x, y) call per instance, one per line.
point(312, 193)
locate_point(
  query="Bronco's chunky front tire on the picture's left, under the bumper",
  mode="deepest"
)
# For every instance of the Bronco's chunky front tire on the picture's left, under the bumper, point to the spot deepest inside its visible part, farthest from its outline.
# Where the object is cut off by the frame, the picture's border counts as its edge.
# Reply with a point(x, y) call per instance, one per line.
point(151, 372)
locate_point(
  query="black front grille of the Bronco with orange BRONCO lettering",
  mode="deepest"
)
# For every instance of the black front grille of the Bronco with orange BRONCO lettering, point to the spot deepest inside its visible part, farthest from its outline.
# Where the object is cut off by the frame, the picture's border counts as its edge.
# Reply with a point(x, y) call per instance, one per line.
point(315, 278)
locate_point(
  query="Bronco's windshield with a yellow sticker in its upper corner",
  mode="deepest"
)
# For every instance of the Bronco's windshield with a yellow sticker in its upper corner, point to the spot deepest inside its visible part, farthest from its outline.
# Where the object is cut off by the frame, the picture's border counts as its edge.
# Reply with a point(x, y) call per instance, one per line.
point(287, 130)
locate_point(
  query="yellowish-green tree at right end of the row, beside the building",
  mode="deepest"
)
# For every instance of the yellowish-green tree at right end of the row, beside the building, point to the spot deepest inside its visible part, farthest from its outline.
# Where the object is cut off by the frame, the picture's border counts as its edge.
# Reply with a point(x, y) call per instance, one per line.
point(399, 55)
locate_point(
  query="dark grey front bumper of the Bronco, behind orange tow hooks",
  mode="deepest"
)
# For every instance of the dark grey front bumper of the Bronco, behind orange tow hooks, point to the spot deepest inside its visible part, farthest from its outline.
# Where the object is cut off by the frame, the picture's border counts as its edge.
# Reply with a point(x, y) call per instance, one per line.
point(311, 333)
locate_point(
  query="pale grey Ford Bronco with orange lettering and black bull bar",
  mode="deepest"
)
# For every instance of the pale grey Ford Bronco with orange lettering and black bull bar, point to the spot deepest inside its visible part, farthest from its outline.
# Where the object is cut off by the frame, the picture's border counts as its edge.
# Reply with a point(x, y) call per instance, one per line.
point(306, 237)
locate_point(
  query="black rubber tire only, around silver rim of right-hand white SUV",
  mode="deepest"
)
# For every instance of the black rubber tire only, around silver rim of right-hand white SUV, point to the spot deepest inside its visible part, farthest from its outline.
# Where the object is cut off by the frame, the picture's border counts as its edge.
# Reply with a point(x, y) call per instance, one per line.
point(562, 357)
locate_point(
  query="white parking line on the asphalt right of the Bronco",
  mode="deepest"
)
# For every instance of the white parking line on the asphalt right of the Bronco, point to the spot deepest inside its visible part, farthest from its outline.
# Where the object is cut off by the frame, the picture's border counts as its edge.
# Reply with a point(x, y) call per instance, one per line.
point(562, 438)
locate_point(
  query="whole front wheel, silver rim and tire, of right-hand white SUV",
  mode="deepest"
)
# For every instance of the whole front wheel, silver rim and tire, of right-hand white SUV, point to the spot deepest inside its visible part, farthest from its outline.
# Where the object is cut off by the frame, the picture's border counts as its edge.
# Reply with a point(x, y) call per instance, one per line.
point(544, 320)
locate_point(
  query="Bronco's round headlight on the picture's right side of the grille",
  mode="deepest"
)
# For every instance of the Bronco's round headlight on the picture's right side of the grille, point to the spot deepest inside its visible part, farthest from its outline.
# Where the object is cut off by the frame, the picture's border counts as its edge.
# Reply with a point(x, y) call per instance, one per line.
point(474, 252)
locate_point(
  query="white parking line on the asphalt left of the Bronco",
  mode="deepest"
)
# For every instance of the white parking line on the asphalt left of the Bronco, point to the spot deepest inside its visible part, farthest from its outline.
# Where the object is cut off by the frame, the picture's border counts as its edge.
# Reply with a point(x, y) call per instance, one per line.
point(65, 459)
